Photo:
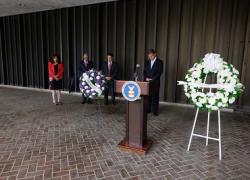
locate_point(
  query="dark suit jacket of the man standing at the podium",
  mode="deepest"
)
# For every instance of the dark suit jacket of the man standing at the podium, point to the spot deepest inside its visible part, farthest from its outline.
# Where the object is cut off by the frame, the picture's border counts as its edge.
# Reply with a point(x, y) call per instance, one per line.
point(155, 72)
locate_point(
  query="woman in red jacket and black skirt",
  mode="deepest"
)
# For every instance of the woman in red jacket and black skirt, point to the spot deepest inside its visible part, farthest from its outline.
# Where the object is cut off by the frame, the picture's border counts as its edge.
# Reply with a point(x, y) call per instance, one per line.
point(55, 67)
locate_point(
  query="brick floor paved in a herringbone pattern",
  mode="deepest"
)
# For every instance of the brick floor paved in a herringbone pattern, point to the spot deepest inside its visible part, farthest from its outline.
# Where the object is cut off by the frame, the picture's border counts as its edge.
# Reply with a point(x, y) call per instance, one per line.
point(41, 141)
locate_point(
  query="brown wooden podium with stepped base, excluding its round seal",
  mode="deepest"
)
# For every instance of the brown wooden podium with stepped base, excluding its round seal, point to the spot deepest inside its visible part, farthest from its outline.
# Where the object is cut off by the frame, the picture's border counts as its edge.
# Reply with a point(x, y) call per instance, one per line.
point(136, 121)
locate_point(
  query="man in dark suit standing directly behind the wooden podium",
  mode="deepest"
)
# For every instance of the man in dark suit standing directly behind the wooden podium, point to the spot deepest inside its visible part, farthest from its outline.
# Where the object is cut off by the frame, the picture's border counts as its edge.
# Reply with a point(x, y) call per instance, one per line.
point(152, 72)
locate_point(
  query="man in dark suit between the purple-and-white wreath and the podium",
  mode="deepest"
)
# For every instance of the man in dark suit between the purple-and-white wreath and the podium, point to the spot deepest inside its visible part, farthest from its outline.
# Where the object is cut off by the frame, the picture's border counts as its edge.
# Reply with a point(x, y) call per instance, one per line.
point(110, 70)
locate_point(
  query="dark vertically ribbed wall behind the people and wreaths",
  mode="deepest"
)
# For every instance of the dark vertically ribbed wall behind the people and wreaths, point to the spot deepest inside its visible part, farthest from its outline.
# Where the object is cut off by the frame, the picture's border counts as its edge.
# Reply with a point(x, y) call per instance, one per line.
point(180, 30)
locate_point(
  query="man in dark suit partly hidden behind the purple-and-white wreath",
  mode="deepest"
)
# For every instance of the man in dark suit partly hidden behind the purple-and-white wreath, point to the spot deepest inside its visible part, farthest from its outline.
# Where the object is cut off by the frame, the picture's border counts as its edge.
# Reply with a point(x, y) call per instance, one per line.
point(85, 65)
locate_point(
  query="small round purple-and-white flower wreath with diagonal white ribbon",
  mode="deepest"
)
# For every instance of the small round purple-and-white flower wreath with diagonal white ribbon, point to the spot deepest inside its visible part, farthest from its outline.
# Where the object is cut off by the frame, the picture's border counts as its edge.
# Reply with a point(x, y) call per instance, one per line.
point(92, 84)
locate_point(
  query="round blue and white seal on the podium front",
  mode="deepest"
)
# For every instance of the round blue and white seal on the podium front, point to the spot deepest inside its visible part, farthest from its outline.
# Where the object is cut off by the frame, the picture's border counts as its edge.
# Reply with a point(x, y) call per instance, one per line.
point(131, 91)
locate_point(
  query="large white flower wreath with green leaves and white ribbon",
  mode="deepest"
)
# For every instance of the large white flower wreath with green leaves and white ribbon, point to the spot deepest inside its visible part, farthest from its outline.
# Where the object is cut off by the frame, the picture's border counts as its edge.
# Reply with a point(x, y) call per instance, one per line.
point(228, 84)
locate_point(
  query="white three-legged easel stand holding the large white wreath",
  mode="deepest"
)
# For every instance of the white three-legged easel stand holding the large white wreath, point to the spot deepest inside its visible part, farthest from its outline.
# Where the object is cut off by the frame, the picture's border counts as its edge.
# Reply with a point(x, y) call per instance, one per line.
point(207, 137)
